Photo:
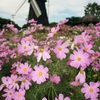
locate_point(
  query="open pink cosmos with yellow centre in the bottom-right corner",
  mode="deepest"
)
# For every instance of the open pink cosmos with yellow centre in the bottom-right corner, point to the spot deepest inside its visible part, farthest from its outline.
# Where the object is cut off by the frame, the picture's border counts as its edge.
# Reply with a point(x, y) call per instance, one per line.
point(91, 90)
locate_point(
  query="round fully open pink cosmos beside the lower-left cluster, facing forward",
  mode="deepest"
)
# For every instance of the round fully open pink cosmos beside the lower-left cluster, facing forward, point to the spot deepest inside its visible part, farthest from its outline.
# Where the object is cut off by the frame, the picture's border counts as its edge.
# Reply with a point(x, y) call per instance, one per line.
point(40, 74)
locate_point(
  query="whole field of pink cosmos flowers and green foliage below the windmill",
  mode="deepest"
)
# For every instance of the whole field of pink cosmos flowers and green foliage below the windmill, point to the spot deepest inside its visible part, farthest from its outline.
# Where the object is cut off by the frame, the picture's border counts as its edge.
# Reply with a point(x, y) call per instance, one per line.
point(50, 63)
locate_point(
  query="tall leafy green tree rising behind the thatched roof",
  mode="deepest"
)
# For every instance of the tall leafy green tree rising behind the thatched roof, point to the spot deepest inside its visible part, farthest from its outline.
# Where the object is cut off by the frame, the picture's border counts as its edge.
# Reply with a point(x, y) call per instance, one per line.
point(92, 9)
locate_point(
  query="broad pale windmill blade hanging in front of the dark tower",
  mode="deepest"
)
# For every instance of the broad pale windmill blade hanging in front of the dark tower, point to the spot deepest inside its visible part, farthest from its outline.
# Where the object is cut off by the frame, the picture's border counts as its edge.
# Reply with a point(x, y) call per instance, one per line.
point(35, 8)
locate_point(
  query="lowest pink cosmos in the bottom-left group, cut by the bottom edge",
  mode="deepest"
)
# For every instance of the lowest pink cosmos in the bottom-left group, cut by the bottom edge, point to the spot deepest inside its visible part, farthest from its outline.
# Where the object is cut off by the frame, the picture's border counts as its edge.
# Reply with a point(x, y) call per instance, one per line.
point(19, 95)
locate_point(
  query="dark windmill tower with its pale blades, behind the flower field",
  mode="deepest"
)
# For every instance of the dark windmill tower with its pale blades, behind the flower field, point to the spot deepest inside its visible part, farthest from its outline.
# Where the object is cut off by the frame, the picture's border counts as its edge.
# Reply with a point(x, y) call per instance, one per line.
point(37, 11)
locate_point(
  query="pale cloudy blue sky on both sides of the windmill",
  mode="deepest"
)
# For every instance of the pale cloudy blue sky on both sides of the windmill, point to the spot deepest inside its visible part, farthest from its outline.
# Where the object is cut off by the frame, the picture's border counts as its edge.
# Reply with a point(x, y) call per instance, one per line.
point(57, 10)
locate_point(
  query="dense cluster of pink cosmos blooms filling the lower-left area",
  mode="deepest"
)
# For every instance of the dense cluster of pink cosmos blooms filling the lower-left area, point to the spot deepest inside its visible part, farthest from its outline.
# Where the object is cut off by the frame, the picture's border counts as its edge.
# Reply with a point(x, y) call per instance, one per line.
point(16, 85)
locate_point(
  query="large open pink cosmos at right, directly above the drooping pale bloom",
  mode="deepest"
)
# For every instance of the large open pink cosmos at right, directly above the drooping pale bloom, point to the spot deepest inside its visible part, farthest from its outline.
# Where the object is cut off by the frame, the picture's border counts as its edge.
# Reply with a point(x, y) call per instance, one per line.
point(79, 59)
